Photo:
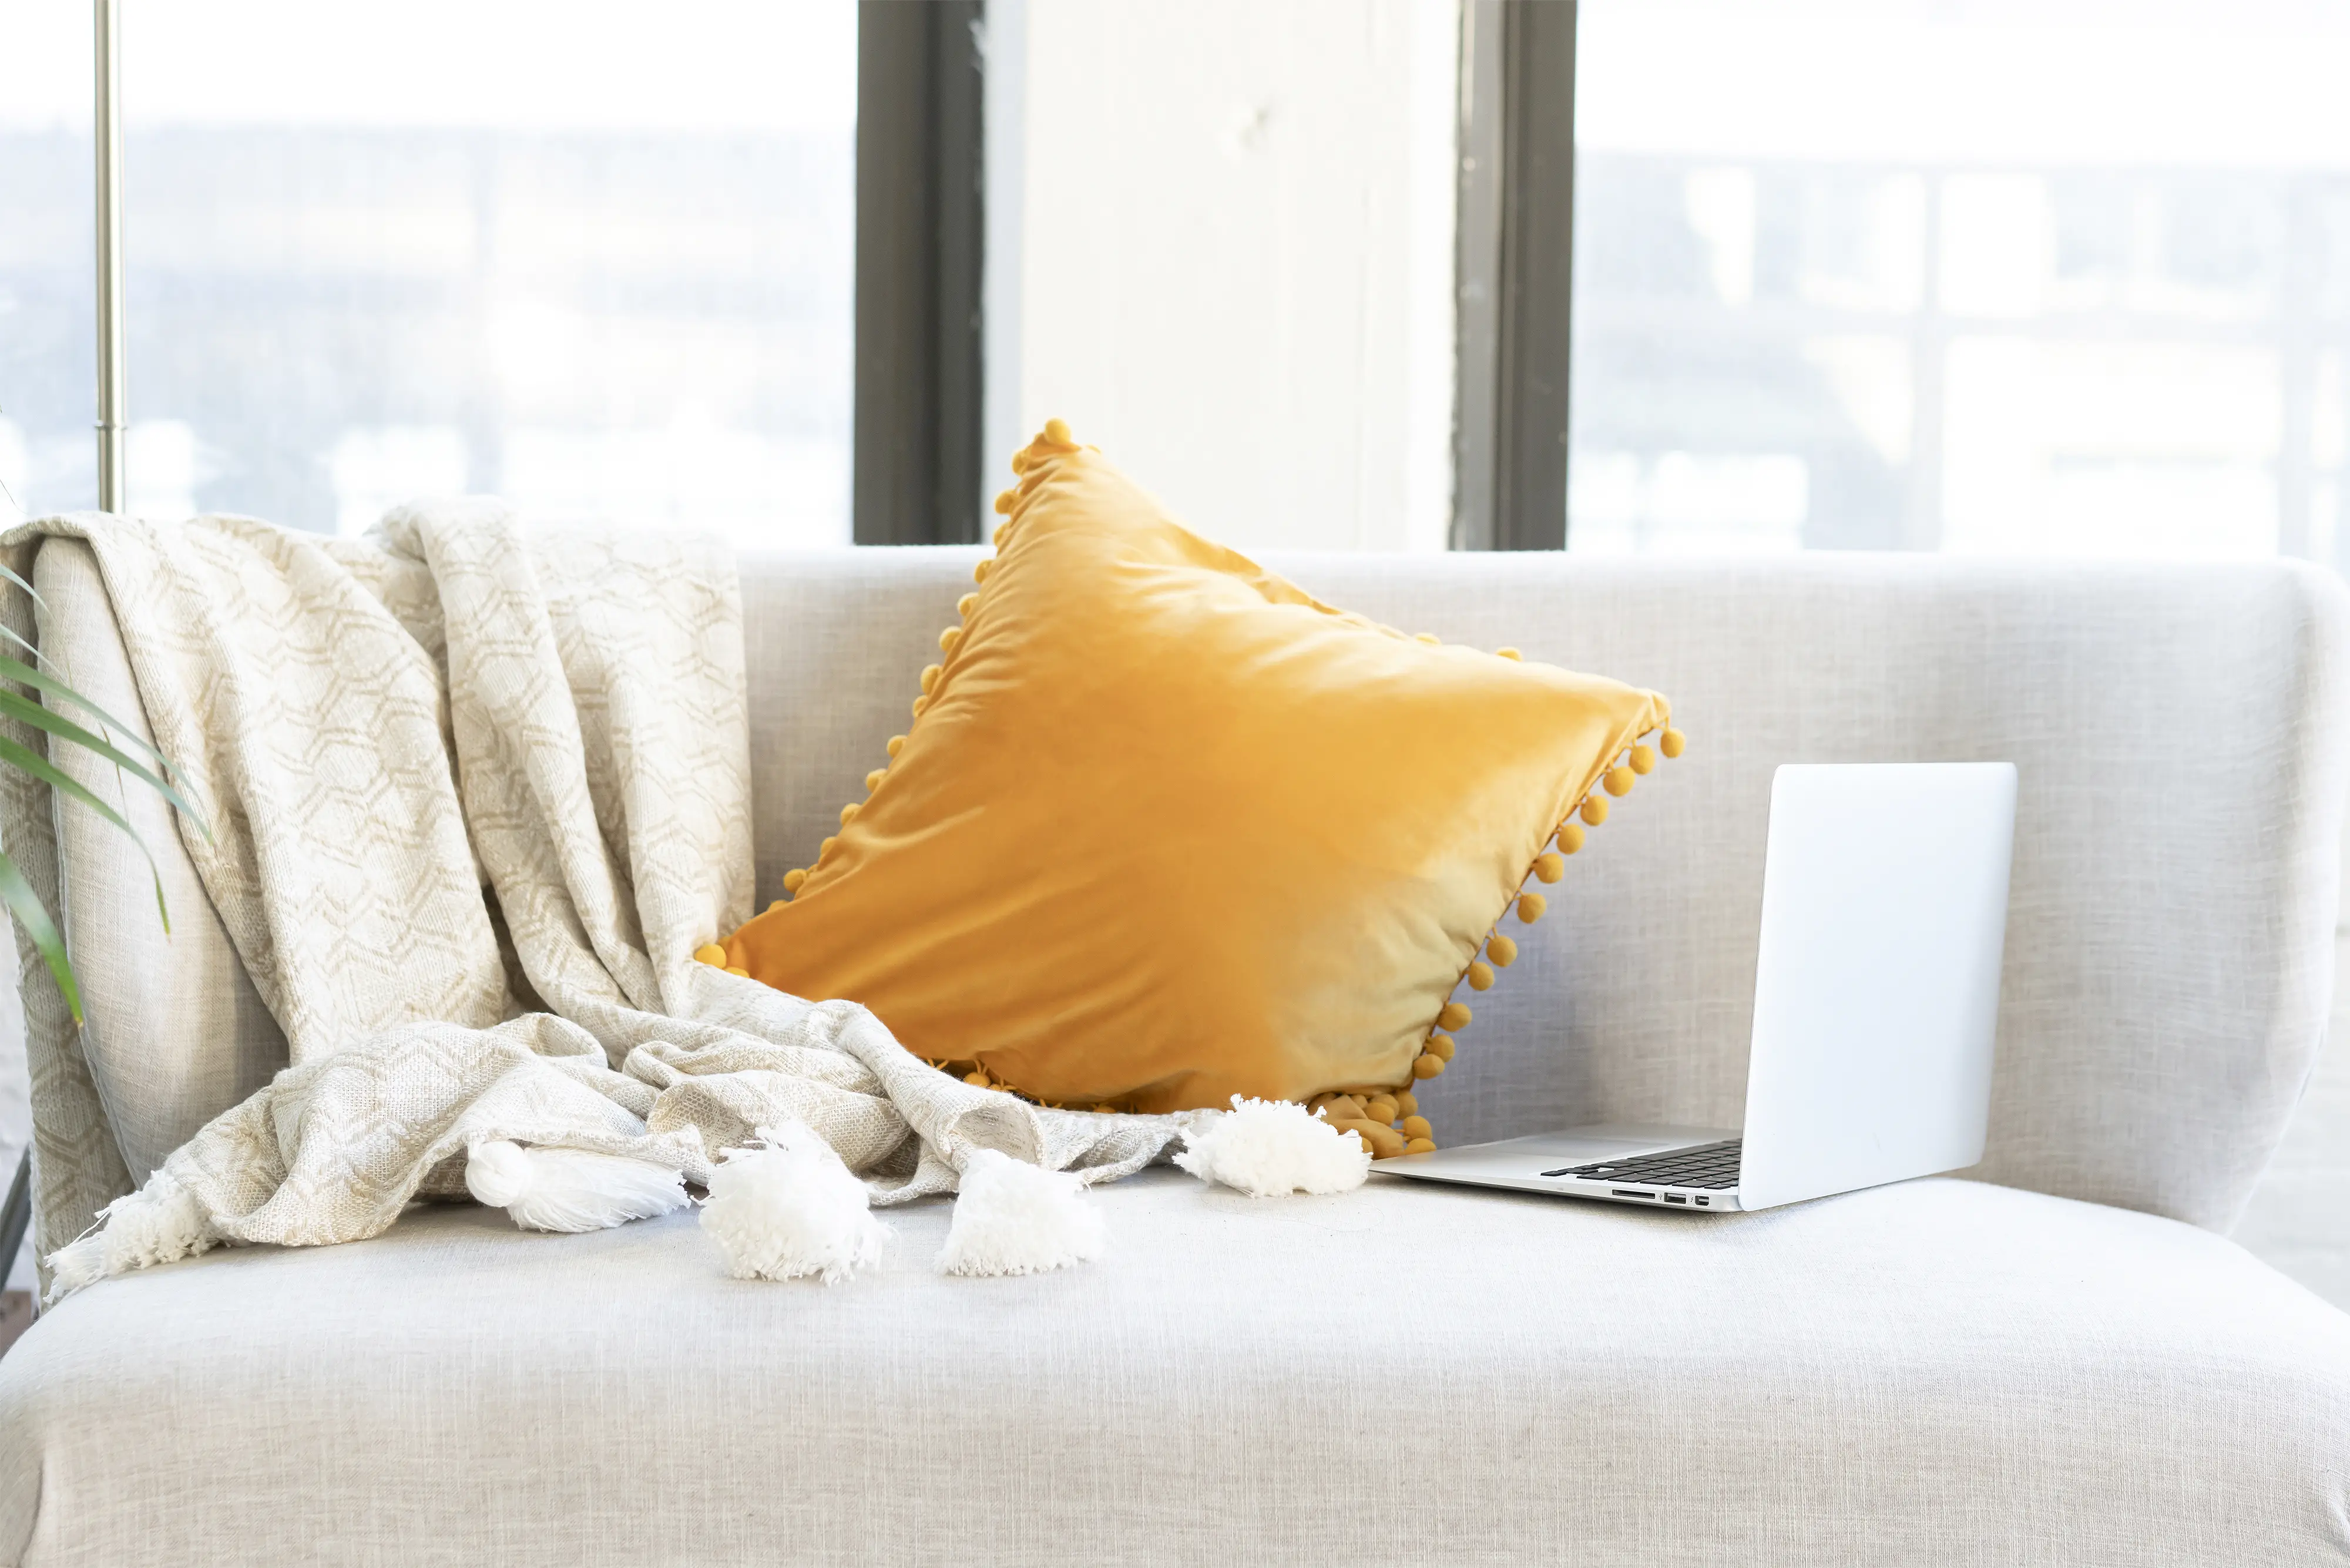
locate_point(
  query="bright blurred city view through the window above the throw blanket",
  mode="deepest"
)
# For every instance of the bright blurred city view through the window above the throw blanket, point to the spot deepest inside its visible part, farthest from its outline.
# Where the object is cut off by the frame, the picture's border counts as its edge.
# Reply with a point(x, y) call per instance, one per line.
point(591, 257)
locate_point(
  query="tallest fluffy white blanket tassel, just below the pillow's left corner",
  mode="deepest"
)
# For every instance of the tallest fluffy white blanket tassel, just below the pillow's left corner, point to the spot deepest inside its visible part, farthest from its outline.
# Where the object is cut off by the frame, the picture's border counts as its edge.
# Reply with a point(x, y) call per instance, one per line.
point(786, 1207)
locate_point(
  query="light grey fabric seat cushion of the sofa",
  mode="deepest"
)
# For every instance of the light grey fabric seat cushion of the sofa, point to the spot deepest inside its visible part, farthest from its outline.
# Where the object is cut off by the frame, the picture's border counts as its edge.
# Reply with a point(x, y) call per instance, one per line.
point(1926, 1374)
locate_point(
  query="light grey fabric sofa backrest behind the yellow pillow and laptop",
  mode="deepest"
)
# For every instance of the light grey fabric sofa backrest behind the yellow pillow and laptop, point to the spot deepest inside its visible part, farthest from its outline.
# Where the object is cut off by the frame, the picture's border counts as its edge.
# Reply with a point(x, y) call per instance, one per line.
point(2182, 749)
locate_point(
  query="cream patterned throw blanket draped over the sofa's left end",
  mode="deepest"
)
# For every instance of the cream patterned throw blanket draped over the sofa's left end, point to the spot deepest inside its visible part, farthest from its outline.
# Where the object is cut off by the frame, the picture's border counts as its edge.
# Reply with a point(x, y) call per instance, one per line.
point(478, 796)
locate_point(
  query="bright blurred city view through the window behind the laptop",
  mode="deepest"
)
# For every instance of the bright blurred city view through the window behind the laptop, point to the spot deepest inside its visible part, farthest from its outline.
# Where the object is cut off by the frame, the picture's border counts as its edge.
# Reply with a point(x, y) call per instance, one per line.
point(1970, 276)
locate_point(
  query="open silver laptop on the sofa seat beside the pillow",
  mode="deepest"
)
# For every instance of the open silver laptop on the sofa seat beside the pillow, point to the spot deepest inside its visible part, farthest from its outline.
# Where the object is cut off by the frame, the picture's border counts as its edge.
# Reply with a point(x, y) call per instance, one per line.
point(1876, 1000)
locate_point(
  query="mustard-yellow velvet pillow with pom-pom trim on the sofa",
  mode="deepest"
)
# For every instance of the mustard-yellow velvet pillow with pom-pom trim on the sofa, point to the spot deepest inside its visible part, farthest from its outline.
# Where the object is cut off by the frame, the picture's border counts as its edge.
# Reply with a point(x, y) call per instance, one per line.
point(1164, 829)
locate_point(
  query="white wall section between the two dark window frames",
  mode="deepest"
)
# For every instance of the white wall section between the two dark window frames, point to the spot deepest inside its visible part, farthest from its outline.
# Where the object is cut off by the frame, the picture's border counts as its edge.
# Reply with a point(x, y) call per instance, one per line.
point(1235, 257)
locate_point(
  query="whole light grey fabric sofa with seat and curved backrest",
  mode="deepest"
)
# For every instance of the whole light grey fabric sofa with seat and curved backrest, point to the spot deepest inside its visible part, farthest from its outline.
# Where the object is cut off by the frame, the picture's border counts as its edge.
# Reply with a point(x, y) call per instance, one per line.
point(2055, 1358)
